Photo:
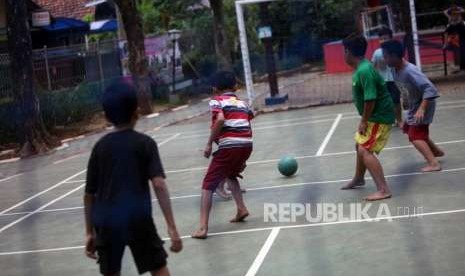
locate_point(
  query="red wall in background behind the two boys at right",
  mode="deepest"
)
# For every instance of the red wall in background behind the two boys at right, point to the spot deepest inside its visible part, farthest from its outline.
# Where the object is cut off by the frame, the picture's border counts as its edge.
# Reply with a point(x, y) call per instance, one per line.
point(334, 54)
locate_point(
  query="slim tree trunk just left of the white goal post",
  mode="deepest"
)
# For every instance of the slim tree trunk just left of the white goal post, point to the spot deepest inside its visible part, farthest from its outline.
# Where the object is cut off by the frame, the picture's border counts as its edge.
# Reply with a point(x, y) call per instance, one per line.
point(222, 46)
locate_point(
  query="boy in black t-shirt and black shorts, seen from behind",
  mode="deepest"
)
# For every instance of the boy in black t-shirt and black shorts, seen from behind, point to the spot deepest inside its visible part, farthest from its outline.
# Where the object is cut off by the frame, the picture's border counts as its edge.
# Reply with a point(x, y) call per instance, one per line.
point(117, 200)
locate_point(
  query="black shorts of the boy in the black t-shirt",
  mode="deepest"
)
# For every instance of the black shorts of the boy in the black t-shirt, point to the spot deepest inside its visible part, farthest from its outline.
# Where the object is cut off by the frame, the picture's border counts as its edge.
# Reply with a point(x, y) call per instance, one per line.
point(144, 242)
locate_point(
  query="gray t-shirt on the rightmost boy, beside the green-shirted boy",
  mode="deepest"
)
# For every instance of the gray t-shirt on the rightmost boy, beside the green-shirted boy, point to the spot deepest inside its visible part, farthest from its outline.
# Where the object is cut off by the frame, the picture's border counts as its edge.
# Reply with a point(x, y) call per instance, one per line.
point(416, 87)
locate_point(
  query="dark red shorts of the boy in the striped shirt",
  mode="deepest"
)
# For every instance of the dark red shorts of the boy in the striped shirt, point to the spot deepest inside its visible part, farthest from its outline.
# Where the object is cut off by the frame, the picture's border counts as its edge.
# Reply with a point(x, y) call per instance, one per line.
point(226, 164)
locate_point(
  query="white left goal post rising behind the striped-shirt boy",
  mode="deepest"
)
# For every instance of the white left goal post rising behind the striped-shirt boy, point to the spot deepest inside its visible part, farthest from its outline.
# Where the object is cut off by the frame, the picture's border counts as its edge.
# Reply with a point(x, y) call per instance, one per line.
point(244, 45)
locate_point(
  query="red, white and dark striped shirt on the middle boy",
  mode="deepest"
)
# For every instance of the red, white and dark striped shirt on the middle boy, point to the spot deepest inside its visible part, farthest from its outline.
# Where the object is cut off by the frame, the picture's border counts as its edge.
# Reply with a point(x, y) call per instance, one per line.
point(237, 131)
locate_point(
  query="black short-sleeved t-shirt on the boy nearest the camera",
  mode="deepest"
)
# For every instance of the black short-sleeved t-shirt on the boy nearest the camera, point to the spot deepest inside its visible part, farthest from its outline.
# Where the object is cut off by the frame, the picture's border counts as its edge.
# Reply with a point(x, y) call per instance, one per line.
point(119, 169)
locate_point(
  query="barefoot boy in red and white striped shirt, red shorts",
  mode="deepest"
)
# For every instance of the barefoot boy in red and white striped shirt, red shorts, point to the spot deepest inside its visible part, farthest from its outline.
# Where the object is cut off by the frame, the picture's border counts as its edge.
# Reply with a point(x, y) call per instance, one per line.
point(231, 130)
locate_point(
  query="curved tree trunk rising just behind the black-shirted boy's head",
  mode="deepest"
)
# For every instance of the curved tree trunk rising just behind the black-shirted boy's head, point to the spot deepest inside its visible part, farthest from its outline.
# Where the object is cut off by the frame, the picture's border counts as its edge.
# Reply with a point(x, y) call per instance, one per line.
point(138, 65)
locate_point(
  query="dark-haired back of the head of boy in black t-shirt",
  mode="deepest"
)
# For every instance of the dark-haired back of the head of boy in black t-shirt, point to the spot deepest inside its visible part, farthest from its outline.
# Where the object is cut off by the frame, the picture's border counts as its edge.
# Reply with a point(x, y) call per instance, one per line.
point(120, 102)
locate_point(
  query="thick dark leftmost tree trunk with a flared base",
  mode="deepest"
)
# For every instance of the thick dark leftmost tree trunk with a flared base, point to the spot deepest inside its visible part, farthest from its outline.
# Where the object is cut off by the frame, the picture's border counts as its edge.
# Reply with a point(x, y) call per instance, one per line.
point(32, 134)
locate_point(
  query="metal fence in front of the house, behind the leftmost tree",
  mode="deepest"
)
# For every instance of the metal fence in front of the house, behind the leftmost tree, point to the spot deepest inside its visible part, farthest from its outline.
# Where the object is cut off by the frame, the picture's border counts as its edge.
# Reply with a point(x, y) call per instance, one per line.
point(67, 67)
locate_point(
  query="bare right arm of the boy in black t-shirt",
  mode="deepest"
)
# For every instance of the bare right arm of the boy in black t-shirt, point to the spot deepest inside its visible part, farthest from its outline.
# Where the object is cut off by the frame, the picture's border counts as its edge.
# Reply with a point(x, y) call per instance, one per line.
point(162, 194)
